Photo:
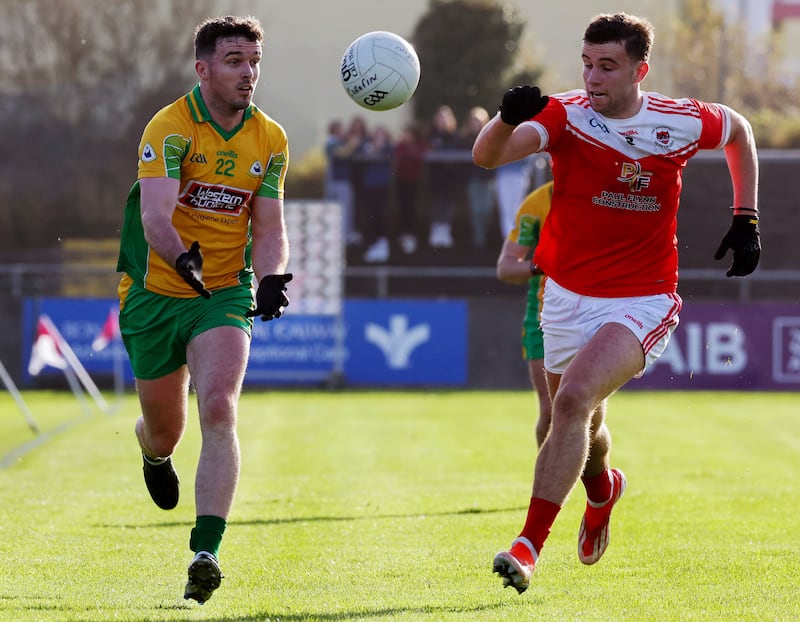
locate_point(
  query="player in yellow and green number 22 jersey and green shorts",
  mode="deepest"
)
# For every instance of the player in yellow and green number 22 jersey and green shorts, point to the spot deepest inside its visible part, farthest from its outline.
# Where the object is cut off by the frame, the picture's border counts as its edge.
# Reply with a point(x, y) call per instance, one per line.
point(204, 217)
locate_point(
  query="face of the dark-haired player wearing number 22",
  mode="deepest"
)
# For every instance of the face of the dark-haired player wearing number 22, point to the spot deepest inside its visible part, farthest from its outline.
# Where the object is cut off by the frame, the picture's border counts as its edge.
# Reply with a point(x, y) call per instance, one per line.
point(232, 72)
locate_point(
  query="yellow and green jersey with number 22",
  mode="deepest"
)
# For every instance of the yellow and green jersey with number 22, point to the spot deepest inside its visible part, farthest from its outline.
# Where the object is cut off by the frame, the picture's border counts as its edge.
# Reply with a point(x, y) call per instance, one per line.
point(220, 174)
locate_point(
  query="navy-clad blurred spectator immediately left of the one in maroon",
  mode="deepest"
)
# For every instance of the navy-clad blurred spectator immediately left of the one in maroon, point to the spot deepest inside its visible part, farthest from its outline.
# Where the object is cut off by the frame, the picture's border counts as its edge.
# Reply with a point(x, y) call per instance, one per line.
point(376, 178)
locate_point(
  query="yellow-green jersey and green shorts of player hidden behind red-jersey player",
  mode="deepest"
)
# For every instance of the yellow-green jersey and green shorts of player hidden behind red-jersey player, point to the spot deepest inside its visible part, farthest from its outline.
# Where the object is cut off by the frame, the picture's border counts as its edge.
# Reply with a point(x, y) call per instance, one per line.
point(527, 227)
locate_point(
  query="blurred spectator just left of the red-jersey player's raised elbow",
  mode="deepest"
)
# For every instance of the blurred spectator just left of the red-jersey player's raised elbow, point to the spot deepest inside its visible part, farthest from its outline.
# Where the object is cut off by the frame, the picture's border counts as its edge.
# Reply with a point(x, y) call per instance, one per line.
point(479, 181)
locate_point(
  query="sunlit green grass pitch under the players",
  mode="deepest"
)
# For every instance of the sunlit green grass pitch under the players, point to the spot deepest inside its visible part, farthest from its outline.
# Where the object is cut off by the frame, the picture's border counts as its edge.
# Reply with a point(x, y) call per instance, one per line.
point(390, 506)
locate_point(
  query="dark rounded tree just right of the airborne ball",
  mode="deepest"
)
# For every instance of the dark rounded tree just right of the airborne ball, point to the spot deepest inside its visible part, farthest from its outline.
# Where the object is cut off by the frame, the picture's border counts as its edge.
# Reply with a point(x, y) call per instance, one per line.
point(471, 53)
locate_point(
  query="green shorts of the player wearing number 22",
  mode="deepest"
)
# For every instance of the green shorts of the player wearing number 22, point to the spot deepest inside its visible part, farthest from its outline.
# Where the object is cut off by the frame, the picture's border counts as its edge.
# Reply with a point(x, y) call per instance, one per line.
point(156, 329)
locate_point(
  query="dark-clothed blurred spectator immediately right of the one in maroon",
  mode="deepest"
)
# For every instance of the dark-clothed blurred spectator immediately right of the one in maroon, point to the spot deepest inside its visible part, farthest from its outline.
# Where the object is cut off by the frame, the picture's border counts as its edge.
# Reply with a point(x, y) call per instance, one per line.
point(444, 180)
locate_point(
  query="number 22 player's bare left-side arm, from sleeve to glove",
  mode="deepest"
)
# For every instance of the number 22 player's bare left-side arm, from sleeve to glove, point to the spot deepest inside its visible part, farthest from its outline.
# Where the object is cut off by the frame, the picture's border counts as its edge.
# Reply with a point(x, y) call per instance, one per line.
point(159, 196)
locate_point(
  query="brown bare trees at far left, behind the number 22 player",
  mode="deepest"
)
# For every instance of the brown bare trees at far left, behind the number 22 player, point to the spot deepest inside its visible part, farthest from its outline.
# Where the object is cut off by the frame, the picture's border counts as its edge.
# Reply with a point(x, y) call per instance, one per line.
point(78, 80)
